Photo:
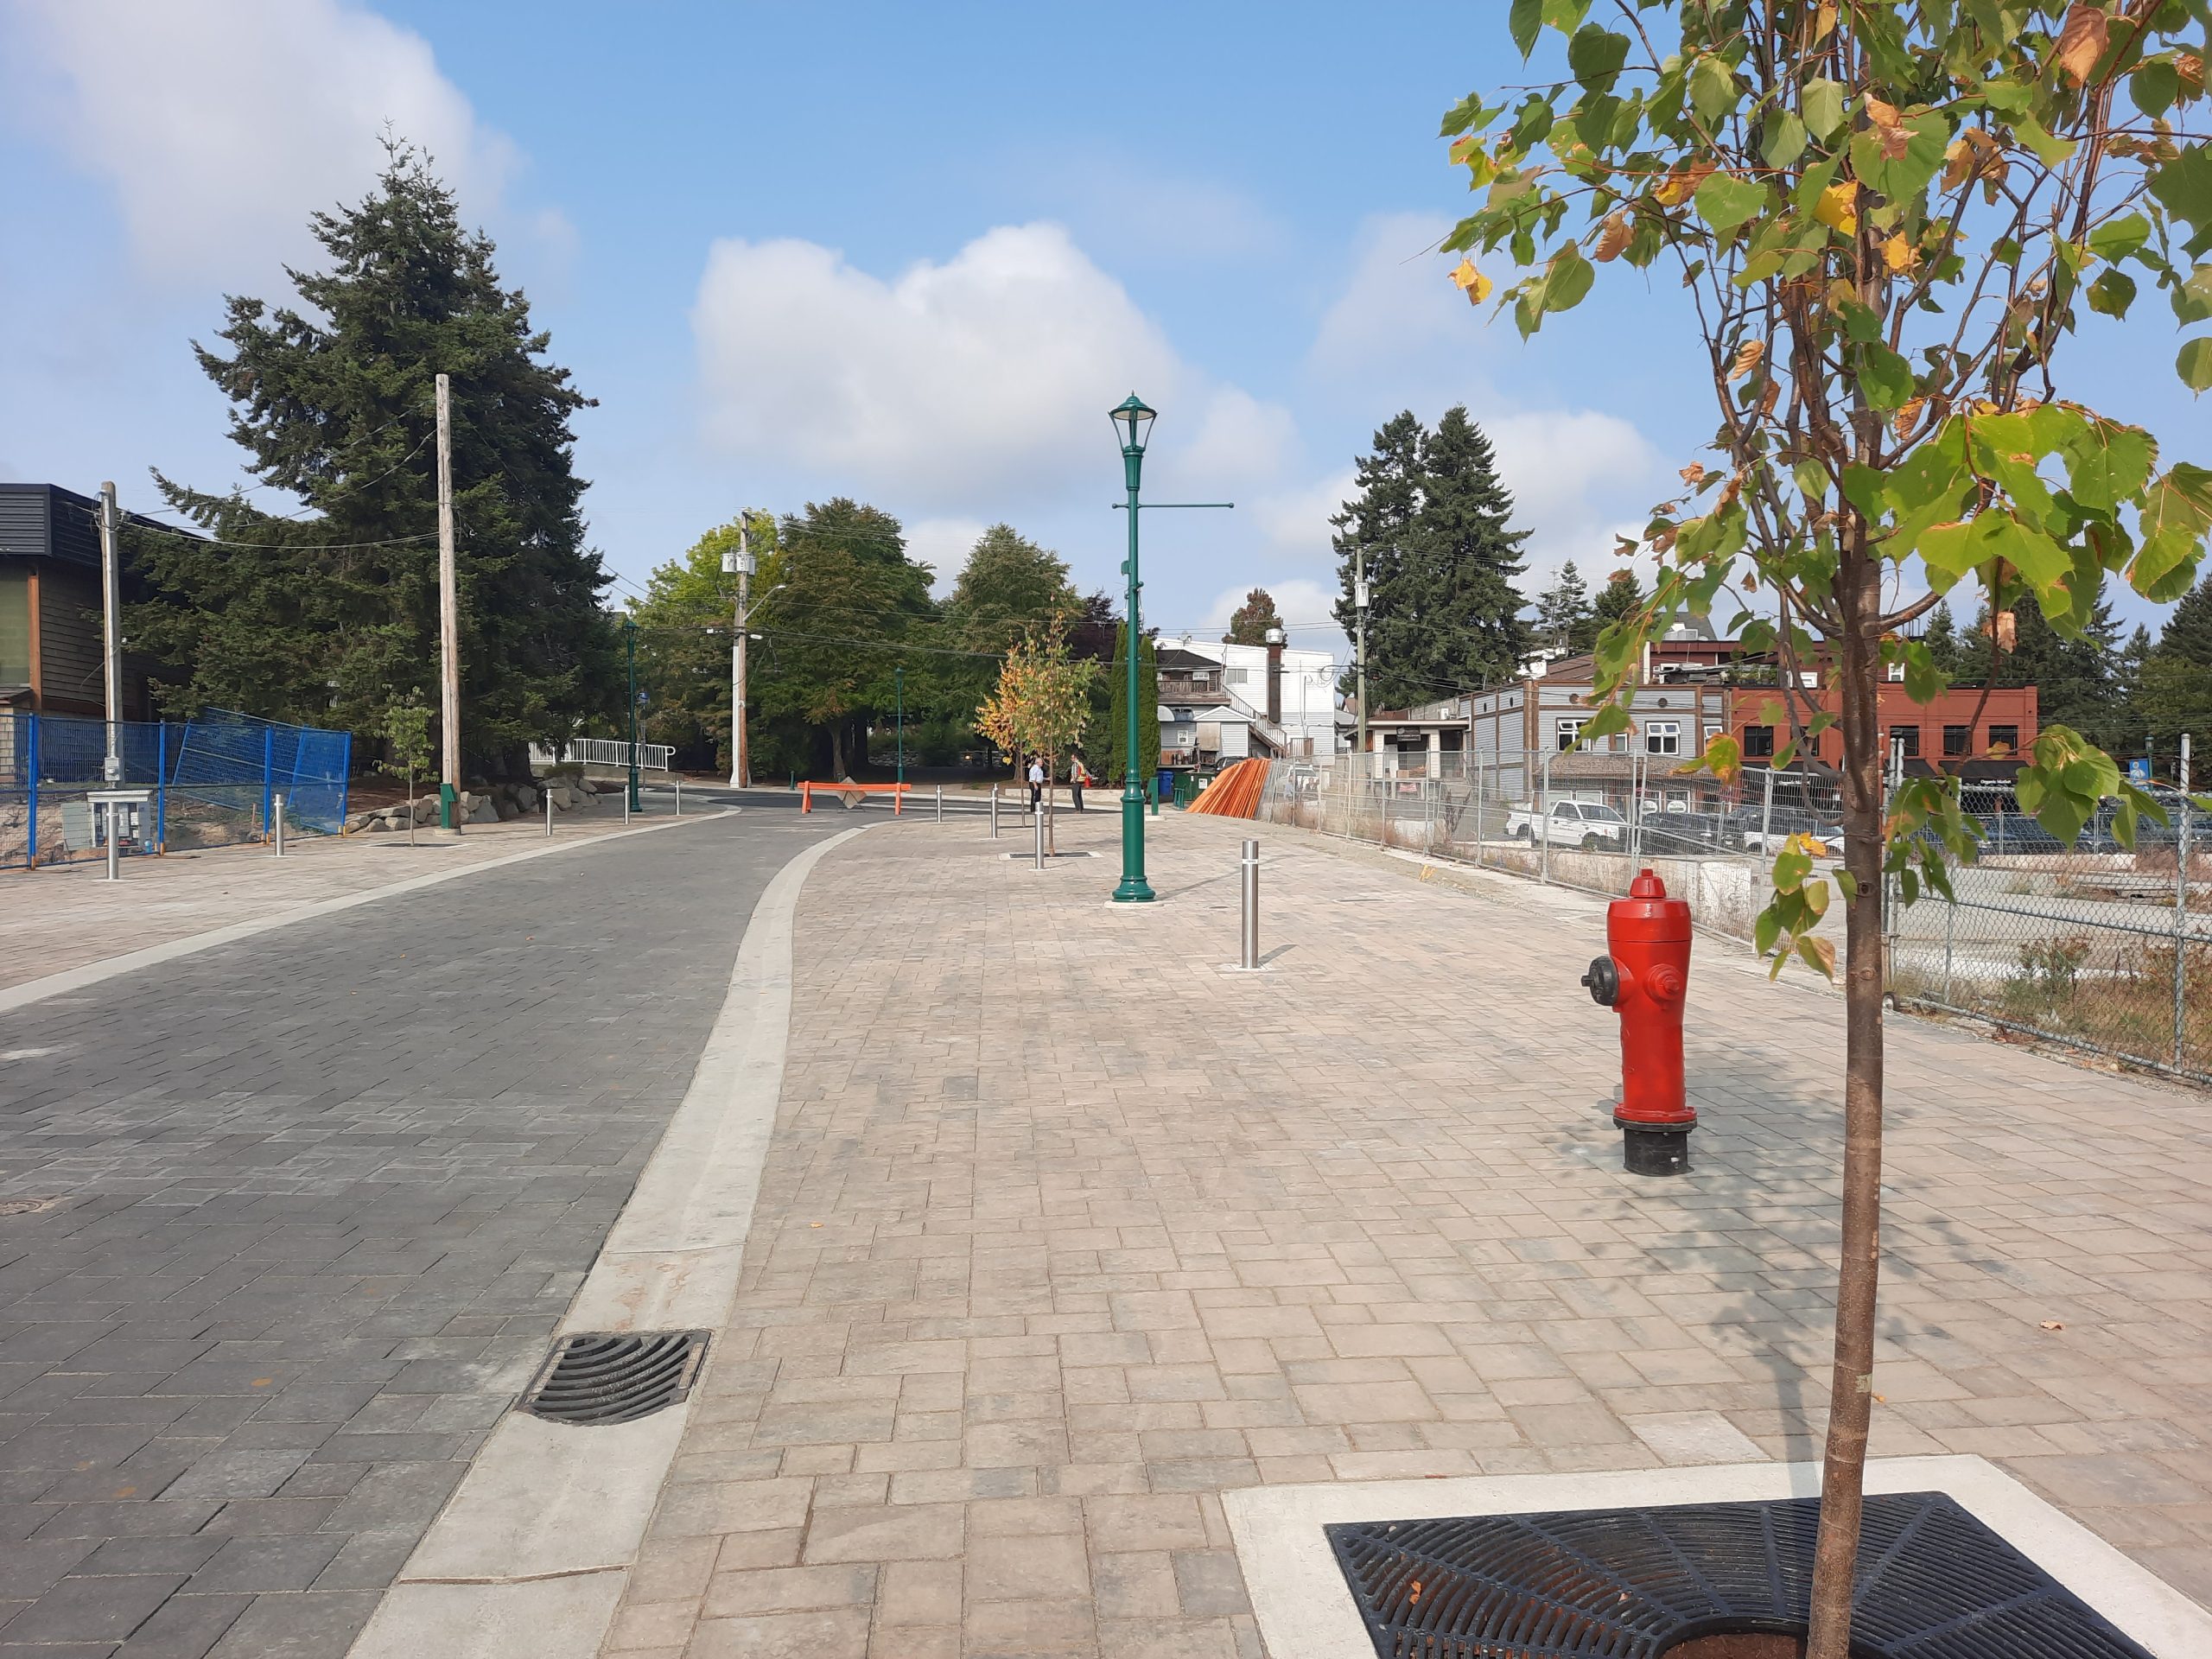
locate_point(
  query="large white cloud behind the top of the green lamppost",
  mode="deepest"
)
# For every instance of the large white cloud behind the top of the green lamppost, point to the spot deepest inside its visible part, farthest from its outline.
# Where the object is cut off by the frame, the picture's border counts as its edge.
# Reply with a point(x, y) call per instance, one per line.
point(988, 375)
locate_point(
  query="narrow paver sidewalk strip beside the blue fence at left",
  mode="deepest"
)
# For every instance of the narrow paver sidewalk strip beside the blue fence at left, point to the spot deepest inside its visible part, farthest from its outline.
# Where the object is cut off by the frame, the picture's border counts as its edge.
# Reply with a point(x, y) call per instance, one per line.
point(63, 917)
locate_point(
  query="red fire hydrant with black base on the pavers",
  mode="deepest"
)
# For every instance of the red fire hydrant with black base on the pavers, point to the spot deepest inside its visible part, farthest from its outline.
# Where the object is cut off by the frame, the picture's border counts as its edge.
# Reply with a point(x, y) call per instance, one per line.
point(1645, 981)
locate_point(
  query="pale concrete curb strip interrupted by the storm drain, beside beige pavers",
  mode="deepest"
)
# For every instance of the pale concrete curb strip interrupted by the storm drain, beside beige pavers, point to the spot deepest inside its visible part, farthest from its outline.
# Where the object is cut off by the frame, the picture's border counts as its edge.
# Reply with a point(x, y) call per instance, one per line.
point(534, 1547)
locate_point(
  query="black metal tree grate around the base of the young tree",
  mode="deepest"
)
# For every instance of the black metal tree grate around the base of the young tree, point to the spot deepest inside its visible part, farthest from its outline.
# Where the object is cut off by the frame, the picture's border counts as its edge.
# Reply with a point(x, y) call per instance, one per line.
point(1634, 1583)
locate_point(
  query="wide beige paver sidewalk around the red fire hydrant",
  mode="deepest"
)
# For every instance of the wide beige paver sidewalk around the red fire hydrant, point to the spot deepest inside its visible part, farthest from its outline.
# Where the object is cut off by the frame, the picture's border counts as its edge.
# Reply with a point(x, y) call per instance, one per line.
point(1067, 1231)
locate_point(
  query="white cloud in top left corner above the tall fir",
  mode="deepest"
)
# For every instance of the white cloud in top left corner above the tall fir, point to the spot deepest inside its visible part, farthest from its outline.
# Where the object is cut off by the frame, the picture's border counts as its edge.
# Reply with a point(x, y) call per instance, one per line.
point(222, 125)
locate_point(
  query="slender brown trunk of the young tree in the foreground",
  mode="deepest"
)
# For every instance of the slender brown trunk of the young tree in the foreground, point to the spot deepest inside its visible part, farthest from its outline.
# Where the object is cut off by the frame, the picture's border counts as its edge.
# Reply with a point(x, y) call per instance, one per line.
point(1853, 1386)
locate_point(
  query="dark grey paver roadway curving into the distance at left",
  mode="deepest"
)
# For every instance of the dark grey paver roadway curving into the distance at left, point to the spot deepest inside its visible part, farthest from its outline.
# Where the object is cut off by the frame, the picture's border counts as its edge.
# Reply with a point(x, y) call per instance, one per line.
point(295, 1218)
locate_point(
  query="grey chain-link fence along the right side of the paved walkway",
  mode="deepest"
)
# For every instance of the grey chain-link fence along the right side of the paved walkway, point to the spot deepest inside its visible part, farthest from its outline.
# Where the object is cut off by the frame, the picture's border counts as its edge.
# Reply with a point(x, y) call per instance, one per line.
point(2087, 943)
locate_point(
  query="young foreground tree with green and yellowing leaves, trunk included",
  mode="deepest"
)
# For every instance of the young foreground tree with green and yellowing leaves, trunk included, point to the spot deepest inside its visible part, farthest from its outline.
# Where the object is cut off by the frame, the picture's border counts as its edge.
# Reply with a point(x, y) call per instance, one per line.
point(1890, 218)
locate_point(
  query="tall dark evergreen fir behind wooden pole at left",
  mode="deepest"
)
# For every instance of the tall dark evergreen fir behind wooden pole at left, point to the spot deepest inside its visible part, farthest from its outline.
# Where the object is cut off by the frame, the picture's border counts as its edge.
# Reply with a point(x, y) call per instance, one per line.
point(331, 616)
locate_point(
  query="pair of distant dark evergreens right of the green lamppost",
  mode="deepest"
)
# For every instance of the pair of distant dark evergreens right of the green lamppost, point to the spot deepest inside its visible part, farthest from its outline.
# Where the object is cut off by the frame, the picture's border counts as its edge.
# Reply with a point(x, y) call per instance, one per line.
point(1441, 561)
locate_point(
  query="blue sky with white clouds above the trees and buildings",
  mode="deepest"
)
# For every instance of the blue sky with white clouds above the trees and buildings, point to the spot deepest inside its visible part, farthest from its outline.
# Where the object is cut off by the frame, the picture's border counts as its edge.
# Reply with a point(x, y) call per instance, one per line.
point(897, 253)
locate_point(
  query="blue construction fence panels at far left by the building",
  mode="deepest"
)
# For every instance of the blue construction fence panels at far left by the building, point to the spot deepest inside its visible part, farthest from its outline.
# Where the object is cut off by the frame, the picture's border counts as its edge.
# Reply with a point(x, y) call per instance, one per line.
point(211, 780)
